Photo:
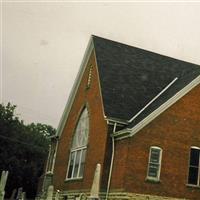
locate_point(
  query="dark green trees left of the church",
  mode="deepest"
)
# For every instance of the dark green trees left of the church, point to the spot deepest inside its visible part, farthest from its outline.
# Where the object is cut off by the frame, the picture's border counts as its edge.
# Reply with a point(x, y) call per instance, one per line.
point(23, 150)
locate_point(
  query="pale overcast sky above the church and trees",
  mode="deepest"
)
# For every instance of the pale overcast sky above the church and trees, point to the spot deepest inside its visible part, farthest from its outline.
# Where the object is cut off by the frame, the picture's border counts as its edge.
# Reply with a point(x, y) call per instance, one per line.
point(43, 43)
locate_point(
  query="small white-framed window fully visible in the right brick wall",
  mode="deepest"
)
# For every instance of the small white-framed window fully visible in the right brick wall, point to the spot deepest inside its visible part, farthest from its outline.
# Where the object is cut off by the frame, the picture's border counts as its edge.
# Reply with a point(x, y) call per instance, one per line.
point(154, 164)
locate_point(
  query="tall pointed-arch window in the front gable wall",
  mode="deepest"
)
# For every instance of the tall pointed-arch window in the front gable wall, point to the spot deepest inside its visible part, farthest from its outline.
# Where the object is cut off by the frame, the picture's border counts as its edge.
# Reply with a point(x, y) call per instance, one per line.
point(78, 148)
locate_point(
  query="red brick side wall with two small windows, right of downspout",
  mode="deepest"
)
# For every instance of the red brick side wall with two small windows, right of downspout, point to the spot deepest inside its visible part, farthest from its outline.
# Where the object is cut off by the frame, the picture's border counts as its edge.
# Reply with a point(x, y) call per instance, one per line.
point(175, 131)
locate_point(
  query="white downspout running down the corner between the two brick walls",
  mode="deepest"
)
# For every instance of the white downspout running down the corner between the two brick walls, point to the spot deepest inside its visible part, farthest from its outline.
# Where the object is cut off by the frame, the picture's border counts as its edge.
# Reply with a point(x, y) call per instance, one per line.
point(111, 163)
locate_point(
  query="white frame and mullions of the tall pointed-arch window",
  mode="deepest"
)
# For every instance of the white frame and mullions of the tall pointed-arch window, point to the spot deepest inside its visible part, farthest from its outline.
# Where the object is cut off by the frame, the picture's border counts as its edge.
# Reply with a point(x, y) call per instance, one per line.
point(81, 148)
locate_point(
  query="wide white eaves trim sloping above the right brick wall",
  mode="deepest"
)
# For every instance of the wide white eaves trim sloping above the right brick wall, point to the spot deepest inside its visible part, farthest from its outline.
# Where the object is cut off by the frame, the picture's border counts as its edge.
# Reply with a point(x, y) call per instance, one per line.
point(130, 132)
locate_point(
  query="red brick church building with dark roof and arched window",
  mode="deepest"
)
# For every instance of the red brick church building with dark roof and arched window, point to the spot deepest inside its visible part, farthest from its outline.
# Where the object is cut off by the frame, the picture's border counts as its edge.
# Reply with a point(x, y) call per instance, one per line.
point(137, 114)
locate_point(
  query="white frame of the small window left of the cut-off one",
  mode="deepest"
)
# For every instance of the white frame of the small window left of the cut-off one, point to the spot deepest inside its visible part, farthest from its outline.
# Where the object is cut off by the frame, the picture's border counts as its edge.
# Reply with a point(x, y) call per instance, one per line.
point(159, 164)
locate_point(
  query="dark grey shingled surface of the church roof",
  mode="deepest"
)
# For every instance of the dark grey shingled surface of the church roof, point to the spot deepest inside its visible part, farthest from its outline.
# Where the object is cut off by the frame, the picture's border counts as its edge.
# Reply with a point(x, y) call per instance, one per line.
point(131, 77)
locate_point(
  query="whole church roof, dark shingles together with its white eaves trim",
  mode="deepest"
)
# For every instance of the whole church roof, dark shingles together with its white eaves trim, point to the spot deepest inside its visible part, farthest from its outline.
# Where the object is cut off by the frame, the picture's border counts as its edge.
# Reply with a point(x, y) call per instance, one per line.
point(134, 82)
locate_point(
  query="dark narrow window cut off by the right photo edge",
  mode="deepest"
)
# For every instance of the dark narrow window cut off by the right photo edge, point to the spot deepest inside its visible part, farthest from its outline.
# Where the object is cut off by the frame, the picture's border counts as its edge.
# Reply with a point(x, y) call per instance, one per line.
point(194, 166)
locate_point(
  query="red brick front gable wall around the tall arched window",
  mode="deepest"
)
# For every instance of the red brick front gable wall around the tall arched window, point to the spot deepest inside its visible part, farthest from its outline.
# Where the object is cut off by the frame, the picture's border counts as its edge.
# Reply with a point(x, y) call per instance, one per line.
point(97, 133)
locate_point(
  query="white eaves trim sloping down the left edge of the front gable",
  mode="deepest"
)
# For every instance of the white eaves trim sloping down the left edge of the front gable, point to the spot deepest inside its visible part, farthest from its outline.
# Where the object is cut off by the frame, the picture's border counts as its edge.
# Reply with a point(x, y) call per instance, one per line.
point(73, 92)
